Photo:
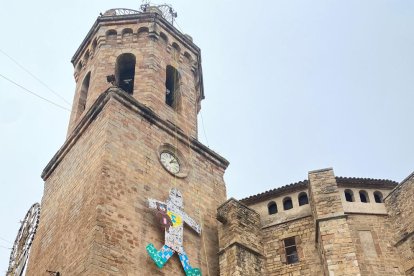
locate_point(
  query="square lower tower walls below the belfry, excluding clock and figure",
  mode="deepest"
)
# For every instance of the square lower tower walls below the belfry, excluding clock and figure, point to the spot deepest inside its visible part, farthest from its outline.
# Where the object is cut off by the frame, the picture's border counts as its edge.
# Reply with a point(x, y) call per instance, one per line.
point(95, 219)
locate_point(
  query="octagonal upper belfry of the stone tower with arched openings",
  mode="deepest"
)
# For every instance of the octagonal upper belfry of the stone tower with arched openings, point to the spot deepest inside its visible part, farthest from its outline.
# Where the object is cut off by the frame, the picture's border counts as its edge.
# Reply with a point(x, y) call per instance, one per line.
point(142, 53)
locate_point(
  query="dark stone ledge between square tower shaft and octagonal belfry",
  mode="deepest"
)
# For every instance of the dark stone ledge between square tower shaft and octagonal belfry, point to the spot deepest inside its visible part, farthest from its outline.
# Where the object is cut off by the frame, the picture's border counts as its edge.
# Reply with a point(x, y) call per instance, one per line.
point(142, 110)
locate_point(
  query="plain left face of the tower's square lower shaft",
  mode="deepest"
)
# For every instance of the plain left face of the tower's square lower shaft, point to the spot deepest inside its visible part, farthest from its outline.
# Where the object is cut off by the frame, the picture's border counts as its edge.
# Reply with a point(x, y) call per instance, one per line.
point(67, 228)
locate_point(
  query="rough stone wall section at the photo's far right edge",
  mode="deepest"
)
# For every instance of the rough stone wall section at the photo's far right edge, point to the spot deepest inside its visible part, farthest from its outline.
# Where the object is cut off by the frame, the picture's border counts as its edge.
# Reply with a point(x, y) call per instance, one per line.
point(400, 206)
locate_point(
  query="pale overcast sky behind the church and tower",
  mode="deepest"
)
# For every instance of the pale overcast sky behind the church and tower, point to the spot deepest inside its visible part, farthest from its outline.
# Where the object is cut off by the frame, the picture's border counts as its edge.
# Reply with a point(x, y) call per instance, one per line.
point(291, 86)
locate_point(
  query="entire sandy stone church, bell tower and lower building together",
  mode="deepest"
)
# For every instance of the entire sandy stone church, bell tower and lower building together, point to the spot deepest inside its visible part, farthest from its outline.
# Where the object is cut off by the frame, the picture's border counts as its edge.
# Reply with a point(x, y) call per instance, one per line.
point(132, 175)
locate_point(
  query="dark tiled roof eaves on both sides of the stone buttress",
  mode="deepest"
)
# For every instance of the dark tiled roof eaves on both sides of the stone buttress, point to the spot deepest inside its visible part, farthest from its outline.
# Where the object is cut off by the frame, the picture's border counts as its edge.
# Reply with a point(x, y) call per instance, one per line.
point(341, 181)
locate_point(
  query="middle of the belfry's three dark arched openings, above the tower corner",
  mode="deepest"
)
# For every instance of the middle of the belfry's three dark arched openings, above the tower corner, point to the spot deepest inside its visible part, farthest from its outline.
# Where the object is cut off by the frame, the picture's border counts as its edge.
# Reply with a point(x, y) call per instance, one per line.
point(125, 72)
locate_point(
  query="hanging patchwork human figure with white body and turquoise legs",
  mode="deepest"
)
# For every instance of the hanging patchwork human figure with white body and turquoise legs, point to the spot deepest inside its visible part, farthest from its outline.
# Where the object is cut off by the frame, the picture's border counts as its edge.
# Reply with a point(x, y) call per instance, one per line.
point(173, 225)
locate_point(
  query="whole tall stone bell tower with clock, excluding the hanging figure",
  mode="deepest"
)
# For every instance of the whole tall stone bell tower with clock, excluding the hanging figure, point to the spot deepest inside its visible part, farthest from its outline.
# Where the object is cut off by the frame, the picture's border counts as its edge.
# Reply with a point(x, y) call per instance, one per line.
point(132, 136)
